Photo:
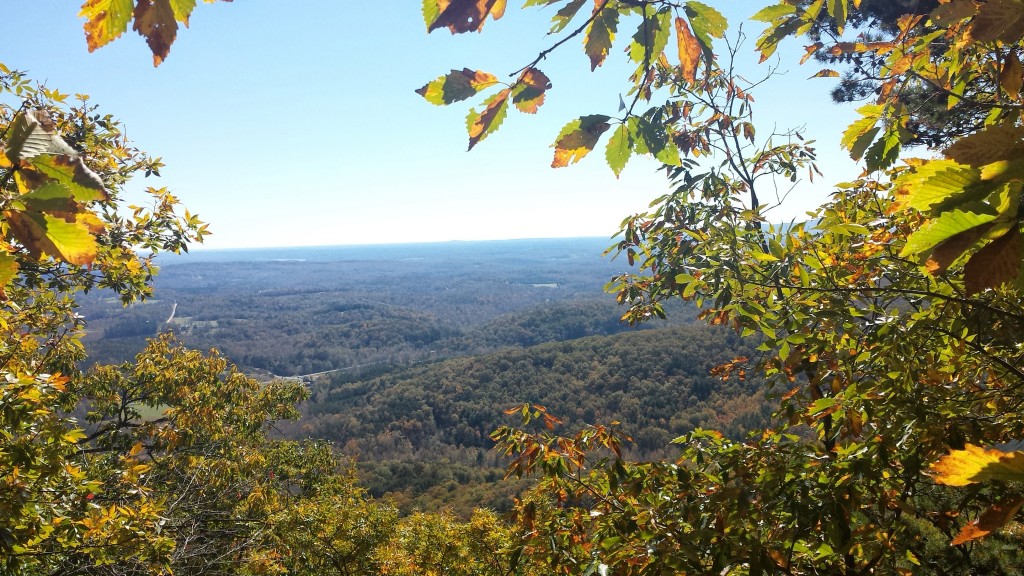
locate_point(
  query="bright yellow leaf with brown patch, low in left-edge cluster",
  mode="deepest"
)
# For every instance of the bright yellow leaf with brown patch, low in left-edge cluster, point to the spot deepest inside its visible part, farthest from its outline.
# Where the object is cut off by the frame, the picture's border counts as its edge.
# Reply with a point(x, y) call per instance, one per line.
point(71, 242)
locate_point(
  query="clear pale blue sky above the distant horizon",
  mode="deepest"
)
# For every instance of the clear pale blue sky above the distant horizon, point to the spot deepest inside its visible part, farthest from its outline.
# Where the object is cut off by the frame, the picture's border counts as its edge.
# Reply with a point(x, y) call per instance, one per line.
point(296, 124)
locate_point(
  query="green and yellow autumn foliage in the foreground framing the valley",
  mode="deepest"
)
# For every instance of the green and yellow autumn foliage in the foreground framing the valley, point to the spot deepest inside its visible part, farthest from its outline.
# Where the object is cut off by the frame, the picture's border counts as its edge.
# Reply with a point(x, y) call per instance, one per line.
point(890, 326)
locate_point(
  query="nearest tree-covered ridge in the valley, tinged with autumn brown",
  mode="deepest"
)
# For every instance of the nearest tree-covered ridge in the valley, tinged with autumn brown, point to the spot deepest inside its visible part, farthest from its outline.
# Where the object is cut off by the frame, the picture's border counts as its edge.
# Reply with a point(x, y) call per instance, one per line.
point(418, 433)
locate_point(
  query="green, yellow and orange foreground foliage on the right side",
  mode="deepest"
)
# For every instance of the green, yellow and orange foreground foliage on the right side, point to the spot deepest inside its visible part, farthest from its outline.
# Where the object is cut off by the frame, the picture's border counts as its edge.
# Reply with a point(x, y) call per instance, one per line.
point(891, 327)
